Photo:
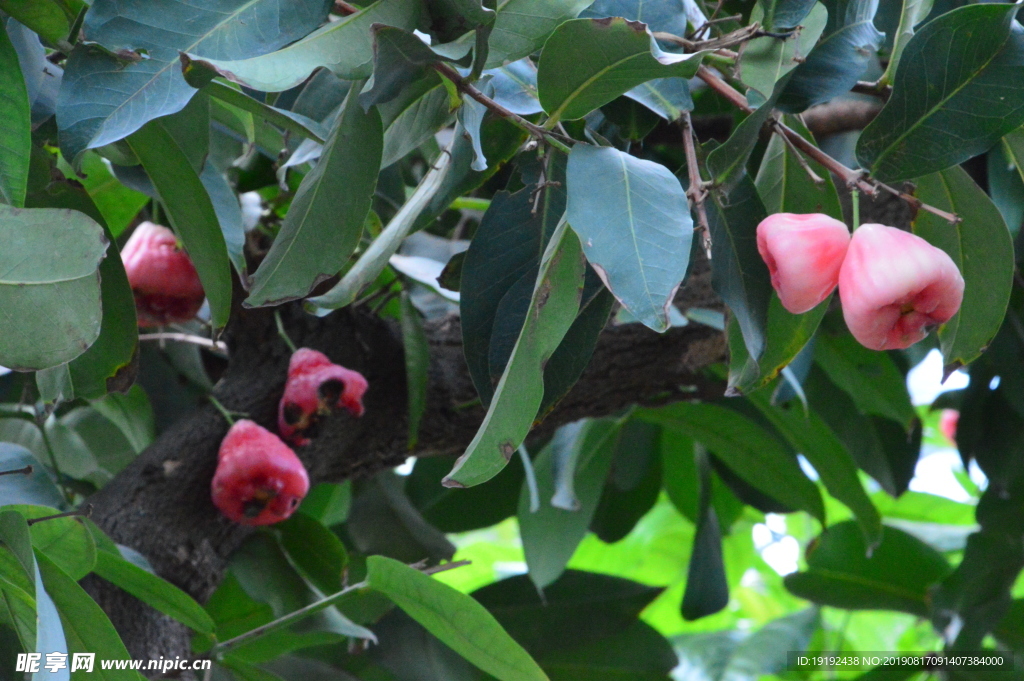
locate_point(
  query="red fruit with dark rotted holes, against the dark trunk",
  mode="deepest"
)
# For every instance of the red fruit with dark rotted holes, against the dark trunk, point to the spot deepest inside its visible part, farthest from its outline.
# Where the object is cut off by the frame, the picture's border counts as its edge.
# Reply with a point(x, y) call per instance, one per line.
point(316, 386)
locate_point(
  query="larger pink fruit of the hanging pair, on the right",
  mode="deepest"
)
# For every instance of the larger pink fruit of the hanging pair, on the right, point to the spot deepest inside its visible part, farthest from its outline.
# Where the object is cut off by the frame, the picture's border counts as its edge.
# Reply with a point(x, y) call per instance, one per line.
point(895, 287)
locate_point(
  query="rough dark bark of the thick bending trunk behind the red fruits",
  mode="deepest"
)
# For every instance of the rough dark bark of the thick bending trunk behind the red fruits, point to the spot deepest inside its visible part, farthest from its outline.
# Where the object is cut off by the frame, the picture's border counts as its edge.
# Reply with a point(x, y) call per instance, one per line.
point(160, 505)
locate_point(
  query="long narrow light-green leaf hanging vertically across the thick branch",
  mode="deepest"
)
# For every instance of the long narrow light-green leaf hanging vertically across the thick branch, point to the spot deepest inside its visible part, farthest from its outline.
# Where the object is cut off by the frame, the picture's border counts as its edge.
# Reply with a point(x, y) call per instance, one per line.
point(521, 392)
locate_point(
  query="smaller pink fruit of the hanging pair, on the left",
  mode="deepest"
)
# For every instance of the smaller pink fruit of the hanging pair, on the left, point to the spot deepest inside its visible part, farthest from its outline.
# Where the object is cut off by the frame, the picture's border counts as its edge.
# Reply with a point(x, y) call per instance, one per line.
point(804, 254)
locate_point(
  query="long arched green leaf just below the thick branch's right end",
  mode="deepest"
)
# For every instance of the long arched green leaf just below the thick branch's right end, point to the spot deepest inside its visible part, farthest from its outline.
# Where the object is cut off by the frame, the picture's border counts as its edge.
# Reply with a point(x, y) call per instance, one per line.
point(748, 449)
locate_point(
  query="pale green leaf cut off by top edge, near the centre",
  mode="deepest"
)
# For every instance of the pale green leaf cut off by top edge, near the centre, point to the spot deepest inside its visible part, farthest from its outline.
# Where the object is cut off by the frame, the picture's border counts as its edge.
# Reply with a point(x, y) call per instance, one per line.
point(523, 26)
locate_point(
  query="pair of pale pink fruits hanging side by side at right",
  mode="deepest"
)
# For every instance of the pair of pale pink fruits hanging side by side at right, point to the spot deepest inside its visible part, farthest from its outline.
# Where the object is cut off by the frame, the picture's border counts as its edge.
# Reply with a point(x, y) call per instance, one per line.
point(894, 286)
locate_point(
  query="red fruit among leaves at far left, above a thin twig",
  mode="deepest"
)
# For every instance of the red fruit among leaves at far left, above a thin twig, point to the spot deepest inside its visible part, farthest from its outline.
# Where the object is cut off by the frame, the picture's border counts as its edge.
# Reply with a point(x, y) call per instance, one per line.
point(162, 277)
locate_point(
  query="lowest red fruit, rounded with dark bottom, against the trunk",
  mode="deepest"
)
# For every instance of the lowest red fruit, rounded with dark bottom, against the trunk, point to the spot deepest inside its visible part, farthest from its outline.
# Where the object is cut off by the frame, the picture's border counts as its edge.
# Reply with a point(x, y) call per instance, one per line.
point(260, 481)
